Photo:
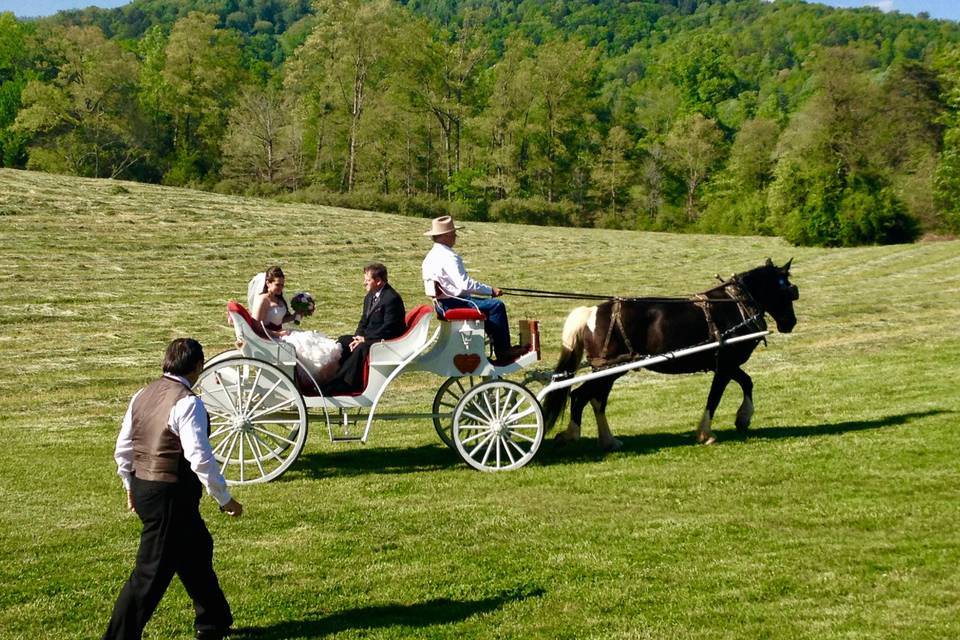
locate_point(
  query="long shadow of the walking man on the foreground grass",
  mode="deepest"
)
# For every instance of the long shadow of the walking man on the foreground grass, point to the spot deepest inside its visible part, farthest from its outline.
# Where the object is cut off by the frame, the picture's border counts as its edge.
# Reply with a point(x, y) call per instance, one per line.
point(423, 614)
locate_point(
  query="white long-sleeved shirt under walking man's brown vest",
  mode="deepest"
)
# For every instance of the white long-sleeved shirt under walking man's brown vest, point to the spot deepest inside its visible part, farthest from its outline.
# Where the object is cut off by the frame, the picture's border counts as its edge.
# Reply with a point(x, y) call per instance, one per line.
point(187, 422)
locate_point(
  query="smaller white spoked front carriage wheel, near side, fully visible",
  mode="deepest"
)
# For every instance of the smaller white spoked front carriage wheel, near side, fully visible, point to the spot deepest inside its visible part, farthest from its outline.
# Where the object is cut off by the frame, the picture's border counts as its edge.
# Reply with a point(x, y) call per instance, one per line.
point(497, 426)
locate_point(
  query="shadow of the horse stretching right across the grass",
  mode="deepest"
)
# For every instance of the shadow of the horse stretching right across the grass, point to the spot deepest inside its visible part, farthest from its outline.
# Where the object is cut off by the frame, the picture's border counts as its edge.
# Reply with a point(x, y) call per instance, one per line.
point(586, 450)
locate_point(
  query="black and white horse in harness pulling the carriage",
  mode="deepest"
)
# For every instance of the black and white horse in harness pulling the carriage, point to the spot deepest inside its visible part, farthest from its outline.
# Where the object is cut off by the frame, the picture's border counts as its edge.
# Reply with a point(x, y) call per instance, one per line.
point(623, 329)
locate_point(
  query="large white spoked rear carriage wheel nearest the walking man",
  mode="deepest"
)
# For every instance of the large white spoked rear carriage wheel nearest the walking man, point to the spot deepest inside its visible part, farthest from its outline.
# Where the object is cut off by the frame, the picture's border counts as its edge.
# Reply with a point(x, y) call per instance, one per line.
point(258, 420)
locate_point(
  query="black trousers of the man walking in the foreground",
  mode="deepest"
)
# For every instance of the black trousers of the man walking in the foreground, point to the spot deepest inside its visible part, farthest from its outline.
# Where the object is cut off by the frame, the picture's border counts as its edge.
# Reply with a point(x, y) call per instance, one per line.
point(174, 540)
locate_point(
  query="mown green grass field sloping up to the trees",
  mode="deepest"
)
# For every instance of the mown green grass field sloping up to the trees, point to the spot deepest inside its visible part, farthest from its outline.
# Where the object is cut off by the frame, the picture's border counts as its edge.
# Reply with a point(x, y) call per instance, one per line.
point(836, 518)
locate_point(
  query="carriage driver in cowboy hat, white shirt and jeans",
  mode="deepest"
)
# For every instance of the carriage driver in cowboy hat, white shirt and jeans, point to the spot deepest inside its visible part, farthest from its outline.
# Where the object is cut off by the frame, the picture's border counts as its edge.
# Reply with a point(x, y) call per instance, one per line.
point(445, 278)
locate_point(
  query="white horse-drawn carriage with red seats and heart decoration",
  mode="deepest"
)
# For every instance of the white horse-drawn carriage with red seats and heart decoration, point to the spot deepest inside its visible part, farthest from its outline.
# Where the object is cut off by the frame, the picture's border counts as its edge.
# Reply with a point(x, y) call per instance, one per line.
point(261, 400)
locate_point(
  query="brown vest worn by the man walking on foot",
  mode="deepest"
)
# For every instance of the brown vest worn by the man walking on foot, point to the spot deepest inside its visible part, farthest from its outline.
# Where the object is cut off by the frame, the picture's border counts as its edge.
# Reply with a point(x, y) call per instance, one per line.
point(157, 454)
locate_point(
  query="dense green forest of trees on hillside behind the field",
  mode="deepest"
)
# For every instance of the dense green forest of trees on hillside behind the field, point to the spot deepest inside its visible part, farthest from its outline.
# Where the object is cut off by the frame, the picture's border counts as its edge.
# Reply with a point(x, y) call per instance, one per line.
point(826, 126)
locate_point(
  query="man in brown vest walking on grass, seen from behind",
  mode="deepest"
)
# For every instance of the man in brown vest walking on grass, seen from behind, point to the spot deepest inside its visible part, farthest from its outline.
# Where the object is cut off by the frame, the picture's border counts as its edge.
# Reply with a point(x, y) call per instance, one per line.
point(164, 458)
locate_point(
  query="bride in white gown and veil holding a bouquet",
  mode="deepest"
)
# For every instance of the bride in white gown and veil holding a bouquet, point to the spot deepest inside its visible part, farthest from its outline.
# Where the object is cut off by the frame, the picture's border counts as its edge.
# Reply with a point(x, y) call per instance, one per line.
point(316, 352)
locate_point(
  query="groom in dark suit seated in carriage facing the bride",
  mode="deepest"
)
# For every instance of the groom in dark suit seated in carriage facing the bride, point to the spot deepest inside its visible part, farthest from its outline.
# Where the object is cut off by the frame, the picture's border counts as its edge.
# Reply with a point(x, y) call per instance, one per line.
point(382, 319)
